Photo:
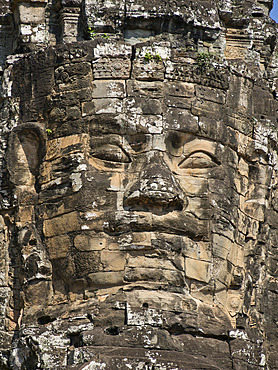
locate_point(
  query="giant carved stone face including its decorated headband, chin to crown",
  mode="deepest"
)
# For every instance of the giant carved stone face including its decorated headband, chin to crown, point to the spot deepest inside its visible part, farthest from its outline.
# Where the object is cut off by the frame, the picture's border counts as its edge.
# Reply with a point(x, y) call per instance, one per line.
point(148, 182)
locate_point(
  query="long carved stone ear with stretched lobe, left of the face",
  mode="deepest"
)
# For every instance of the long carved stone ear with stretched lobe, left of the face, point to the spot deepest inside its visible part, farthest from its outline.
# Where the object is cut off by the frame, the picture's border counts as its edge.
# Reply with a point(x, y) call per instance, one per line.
point(25, 152)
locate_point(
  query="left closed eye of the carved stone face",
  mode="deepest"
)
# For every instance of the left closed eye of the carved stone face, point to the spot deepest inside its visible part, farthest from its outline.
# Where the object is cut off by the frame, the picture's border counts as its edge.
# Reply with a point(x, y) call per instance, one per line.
point(111, 153)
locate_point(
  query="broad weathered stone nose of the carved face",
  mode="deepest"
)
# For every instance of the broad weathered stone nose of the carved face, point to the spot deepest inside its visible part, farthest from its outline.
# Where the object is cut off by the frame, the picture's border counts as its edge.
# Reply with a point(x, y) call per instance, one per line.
point(155, 189)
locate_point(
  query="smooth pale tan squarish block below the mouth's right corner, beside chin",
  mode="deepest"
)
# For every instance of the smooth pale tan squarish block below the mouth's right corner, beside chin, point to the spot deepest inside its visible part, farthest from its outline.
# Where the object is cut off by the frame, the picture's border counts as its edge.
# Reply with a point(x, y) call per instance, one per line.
point(197, 270)
